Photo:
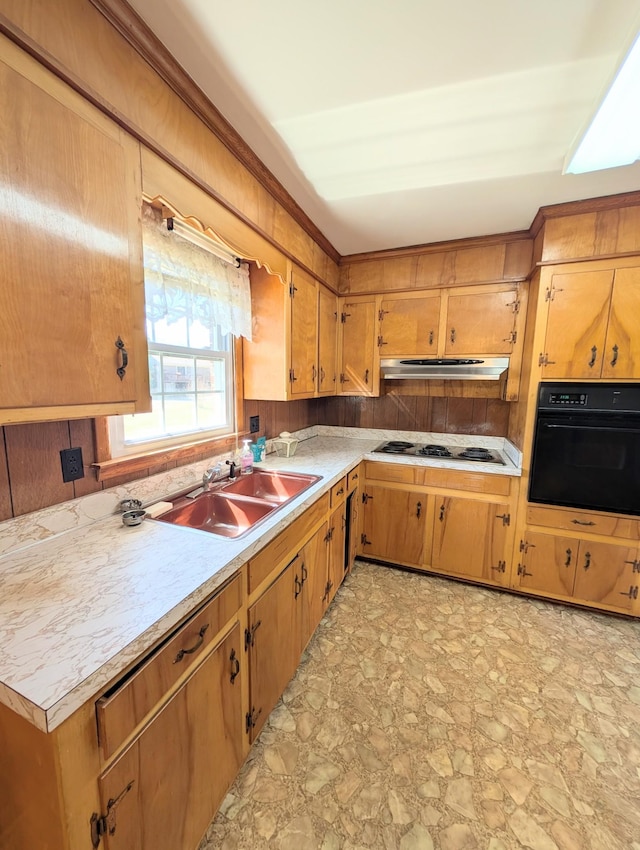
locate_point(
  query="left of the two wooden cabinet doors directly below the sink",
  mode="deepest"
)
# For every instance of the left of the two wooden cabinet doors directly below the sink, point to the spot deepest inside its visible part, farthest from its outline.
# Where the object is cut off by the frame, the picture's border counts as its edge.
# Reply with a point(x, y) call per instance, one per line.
point(275, 623)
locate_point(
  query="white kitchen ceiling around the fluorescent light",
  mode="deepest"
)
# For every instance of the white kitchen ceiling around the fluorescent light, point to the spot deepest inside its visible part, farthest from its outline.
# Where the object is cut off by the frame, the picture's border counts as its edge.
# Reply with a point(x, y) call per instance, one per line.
point(417, 121)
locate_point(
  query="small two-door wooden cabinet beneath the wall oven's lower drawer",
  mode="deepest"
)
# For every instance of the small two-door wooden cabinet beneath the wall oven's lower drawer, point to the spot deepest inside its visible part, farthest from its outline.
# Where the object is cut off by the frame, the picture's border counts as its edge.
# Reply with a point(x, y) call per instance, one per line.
point(581, 570)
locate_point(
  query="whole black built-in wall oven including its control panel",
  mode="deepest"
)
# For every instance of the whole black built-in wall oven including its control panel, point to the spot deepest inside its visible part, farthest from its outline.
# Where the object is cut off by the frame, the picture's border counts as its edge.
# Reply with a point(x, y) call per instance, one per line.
point(586, 447)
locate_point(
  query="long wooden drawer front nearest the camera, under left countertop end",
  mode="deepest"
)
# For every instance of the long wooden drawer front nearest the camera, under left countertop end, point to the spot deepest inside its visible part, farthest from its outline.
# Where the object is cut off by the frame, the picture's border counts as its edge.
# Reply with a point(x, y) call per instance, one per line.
point(124, 707)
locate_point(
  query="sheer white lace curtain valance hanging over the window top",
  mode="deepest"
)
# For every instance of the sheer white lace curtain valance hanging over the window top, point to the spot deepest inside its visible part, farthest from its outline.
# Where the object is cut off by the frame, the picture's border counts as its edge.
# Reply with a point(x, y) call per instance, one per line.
point(181, 276)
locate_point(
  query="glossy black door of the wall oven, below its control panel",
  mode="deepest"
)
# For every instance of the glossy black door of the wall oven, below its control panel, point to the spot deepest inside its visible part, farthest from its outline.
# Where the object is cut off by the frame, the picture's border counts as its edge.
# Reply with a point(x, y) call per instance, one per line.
point(587, 460)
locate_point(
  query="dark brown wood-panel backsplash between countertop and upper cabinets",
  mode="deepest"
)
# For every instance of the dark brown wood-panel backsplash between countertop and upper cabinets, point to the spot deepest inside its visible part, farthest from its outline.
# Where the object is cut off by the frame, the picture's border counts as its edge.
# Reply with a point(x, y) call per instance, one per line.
point(30, 476)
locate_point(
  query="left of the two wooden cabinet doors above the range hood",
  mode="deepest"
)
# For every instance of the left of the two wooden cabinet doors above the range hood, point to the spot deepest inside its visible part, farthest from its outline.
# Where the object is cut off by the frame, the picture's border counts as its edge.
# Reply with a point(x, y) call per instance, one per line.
point(409, 326)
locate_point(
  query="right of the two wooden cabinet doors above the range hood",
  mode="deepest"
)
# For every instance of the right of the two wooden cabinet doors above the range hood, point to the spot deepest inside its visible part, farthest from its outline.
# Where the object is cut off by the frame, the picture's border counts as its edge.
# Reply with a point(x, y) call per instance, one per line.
point(481, 323)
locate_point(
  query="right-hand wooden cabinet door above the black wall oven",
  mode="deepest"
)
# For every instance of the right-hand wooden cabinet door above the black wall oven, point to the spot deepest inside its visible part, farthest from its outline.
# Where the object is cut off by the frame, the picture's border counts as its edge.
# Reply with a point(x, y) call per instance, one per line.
point(622, 347)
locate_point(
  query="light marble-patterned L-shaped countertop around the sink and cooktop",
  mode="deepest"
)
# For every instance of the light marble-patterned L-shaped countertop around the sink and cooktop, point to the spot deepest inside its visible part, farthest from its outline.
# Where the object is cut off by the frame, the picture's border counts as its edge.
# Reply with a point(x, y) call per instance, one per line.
point(82, 596)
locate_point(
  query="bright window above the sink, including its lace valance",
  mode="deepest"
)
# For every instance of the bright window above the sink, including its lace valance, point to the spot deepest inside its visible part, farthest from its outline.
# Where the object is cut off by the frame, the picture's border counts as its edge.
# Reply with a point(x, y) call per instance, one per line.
point(195, 304)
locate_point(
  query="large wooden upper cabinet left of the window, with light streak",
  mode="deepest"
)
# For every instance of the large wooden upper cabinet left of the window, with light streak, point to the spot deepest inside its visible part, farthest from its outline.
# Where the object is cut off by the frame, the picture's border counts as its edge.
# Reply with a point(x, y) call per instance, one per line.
point(71, 272)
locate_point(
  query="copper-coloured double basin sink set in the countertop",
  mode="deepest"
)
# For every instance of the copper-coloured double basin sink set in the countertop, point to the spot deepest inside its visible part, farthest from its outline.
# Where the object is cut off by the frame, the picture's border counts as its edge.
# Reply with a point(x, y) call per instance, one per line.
point(237, 505)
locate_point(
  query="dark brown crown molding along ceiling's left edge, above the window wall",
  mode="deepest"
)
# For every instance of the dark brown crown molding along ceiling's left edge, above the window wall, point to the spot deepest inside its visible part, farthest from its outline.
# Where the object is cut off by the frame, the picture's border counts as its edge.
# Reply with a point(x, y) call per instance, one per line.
point(131, 26)
